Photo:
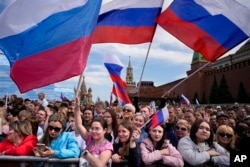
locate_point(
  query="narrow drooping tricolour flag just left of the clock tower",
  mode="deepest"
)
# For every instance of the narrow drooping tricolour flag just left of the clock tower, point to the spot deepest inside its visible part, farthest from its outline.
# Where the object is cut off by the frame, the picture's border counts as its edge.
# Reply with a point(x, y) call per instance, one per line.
point(114, 67)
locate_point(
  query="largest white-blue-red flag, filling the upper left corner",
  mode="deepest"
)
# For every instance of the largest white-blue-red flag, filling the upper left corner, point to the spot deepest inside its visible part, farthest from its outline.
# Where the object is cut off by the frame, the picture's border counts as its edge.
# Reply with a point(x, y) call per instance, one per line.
point(47, 41)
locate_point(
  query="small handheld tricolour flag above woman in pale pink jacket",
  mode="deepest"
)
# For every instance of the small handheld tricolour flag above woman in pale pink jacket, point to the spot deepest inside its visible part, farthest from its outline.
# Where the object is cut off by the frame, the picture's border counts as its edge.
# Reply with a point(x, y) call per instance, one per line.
point(159, 117)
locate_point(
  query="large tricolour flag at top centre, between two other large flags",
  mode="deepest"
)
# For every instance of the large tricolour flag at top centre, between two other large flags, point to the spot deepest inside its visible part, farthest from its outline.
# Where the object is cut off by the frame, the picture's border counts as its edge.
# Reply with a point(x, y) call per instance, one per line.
point(127, 21)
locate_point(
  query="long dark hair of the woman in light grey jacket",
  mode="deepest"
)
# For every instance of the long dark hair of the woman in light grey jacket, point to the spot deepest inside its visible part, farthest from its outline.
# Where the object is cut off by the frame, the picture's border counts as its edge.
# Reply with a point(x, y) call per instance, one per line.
point(195, 128)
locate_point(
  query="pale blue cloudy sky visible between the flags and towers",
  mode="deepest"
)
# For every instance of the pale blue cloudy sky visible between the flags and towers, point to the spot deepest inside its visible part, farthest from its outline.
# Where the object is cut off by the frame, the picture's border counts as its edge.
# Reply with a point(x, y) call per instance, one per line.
point(168, 60)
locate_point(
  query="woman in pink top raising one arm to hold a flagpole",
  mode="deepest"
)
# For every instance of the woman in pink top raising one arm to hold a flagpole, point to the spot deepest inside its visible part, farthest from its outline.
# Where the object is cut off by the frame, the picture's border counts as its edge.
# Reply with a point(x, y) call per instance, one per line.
point(99, 149)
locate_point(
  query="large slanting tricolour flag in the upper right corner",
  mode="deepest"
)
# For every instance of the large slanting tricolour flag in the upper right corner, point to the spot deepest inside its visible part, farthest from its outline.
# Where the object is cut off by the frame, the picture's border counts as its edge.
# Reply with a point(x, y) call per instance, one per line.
point(209, 27)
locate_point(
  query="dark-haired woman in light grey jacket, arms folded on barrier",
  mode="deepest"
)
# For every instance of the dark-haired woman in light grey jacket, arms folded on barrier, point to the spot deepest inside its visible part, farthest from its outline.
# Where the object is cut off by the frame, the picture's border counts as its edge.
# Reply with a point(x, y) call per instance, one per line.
point(197, 149)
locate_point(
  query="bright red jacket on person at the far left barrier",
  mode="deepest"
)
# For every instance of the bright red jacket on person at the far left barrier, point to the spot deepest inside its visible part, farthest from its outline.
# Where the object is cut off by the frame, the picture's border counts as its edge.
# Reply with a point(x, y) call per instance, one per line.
point(25, 148)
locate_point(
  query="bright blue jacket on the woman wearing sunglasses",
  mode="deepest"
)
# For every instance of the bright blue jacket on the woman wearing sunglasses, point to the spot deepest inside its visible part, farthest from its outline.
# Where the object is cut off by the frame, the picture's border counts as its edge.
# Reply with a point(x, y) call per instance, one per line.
point(65, 146)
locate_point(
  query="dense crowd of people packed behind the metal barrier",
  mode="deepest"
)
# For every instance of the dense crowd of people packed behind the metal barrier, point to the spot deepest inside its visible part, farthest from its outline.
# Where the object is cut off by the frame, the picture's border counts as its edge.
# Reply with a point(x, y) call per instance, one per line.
point(102, 135)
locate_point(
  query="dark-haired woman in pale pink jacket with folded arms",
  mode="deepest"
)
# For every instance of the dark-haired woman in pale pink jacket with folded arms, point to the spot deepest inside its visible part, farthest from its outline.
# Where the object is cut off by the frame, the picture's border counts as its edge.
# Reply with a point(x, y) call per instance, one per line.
point(157, 151)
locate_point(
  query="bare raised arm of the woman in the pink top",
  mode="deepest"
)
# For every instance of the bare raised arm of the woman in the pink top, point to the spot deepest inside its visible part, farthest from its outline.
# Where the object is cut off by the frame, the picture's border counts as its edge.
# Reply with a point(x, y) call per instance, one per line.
point(78, 120)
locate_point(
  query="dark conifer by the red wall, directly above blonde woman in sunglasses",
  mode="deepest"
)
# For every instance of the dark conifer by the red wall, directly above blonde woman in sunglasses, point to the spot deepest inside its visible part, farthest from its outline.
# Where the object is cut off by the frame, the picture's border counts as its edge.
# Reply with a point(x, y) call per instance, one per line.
point(224, 92)
